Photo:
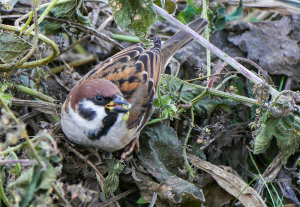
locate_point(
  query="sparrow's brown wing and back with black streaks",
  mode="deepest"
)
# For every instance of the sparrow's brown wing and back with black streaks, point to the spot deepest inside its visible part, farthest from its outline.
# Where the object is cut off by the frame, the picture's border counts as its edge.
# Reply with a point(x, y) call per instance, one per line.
point(135, 71)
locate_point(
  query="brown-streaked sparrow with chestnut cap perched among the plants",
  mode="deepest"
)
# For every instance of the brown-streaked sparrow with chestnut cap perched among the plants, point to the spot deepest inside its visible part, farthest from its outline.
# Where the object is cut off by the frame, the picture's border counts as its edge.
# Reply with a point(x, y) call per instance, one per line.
point(110, 105)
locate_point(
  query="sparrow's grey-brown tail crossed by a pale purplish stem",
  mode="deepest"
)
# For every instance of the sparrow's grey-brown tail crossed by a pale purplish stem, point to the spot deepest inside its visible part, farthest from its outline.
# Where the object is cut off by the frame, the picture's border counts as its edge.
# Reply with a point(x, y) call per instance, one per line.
point(178, 40)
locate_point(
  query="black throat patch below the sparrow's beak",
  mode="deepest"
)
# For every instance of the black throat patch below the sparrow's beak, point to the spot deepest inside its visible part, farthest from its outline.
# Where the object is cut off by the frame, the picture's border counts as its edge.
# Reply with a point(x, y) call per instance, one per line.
point(108, 122)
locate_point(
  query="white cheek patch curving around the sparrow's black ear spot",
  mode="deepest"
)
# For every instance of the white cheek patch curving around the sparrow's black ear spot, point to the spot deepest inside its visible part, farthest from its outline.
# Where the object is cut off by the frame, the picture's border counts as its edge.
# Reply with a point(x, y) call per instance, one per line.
point(88, 125)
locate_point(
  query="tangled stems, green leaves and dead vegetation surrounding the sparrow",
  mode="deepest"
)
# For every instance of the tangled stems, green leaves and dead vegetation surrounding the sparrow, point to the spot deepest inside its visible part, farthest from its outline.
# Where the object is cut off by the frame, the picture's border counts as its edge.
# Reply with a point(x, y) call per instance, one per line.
point(226, 130)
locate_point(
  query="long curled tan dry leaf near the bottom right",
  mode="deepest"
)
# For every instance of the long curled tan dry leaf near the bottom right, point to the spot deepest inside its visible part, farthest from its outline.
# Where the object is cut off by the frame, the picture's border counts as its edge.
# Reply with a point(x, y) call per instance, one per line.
point(229, 182)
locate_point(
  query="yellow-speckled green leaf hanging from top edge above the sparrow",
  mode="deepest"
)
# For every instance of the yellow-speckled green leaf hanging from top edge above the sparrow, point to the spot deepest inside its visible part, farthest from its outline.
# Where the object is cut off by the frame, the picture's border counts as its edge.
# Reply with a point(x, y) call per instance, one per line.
point(135, 15)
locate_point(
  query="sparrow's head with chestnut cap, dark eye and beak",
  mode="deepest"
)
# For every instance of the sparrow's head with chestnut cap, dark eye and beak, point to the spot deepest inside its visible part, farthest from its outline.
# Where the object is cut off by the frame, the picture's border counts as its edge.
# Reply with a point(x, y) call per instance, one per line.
point(97, 96)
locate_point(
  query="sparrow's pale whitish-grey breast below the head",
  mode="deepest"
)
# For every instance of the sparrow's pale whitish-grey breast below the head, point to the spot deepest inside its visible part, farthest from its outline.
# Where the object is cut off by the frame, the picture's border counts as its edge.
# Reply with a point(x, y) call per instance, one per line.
point(109, 134)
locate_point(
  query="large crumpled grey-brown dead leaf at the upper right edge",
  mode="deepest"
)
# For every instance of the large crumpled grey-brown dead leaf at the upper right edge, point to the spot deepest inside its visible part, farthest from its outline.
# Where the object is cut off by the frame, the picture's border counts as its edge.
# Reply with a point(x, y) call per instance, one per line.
point(274, 45)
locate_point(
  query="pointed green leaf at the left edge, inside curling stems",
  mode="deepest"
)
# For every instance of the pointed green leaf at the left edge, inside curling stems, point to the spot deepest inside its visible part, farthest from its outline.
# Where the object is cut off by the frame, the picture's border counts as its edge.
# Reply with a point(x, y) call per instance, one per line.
point(12, 46)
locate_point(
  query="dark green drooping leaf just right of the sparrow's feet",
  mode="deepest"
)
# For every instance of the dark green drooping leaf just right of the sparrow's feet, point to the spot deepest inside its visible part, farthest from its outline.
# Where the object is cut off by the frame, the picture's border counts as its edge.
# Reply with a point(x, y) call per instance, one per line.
point(162, 153)
